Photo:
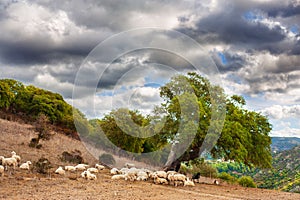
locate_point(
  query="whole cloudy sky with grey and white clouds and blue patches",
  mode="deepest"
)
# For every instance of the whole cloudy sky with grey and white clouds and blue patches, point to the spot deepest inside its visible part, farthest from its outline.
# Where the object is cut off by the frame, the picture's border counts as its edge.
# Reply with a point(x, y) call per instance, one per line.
point(106, 51)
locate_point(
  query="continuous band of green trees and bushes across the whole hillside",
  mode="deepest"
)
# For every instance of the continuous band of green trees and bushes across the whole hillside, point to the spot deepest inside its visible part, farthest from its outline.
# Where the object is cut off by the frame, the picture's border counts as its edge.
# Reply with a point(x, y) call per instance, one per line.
point(244, 137)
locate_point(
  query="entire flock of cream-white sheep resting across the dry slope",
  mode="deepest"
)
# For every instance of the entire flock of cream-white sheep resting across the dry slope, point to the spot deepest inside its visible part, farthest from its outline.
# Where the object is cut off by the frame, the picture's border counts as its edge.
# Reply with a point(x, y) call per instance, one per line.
point(129, 172)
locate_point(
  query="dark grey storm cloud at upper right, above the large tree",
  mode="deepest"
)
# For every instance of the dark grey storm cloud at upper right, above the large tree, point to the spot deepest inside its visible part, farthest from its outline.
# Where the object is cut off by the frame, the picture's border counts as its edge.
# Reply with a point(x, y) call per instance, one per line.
point(230, 27)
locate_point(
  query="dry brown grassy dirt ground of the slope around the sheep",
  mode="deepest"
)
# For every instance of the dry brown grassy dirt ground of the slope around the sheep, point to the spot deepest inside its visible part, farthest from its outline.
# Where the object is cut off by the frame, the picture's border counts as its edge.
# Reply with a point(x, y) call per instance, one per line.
point(29, 185)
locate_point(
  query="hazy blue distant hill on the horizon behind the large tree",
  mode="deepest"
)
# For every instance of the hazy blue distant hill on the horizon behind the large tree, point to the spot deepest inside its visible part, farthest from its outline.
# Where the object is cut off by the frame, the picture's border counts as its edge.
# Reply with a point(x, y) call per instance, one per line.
point(284, 143)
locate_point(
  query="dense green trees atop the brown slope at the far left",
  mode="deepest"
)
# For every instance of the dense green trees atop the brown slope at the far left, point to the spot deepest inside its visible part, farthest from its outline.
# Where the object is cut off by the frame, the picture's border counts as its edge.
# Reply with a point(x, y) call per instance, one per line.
point(30, 102)
